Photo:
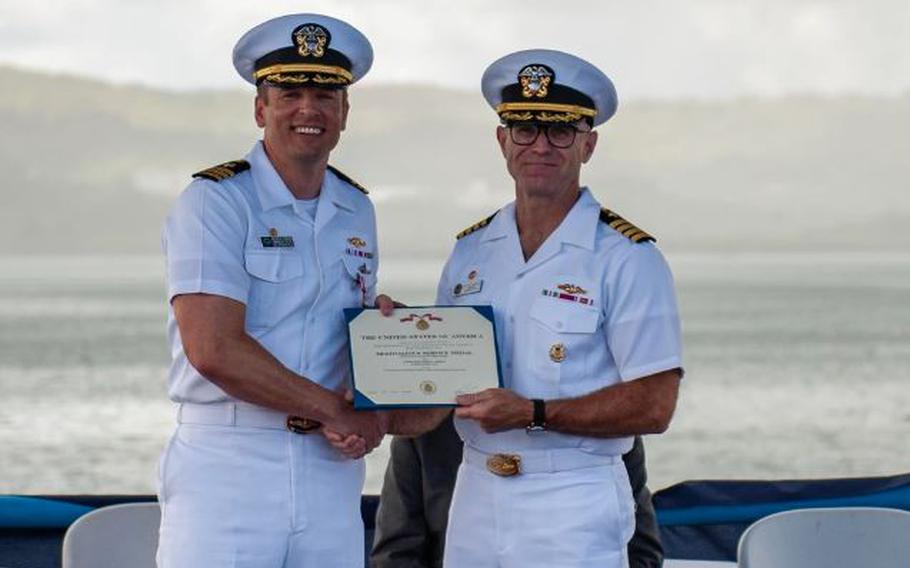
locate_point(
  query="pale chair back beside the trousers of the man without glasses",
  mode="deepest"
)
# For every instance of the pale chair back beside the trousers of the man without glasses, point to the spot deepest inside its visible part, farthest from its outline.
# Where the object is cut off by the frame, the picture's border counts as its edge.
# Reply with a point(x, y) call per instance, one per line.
point(118, 536)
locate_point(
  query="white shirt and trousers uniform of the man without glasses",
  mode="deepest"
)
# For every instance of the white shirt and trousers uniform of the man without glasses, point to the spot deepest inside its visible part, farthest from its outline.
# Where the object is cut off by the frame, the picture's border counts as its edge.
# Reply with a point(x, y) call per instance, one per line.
point(237, 489)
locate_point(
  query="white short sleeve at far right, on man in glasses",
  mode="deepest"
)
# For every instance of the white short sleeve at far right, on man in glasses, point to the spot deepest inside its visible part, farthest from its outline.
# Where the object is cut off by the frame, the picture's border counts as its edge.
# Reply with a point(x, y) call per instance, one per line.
point(642, 318)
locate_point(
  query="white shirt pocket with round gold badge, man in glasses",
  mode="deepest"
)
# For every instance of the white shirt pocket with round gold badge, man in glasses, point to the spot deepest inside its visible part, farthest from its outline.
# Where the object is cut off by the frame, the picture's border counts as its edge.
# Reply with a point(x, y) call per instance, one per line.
point(563, 336)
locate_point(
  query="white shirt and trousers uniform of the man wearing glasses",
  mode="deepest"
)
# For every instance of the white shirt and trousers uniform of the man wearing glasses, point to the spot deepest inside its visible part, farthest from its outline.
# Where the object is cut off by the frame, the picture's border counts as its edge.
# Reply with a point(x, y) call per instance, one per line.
point(616, 319)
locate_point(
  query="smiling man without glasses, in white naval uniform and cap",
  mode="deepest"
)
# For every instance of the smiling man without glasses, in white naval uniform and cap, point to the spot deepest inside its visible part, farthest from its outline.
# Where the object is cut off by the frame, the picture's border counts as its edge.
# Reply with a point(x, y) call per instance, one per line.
point(263, 253)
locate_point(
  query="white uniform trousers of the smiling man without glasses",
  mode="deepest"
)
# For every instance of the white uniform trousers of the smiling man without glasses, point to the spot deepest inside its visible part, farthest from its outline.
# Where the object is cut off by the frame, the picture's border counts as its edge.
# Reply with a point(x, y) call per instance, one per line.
point(236, 495)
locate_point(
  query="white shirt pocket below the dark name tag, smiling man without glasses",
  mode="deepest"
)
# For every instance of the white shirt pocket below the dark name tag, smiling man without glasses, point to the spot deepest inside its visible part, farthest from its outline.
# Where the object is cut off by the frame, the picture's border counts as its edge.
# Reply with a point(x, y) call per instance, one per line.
point(275, 287)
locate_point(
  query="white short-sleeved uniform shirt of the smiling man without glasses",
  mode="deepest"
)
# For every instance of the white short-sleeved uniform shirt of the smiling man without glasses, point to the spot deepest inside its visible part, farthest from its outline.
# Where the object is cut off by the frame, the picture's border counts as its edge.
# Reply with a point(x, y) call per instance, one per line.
point(294, 290)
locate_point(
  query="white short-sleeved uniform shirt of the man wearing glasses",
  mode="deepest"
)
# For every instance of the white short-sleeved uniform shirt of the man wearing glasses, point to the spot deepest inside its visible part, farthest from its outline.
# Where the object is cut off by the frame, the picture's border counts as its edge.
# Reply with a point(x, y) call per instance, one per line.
point(614, 319)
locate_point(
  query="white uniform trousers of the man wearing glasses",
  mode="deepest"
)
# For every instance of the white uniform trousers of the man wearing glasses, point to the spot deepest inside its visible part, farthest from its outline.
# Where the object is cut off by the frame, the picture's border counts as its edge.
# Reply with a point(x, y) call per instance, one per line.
point(566, 509)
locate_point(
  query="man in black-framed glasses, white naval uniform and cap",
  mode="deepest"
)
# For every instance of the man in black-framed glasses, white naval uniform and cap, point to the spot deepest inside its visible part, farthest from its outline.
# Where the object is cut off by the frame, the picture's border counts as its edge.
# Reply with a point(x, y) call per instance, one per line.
point(590, 336)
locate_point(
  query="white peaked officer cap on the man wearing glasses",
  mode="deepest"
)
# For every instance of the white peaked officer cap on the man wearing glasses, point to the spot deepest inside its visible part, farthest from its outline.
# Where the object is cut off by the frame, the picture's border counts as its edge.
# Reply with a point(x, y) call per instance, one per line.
point(543, 85)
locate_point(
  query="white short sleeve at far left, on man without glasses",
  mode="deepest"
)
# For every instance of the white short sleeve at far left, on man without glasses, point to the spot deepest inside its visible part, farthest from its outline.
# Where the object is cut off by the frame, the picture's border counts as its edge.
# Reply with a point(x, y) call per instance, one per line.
point(204, 239)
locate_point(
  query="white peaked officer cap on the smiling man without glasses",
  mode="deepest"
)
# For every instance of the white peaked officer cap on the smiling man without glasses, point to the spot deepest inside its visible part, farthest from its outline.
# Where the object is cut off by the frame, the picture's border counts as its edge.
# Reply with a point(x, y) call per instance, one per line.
point(303, 50)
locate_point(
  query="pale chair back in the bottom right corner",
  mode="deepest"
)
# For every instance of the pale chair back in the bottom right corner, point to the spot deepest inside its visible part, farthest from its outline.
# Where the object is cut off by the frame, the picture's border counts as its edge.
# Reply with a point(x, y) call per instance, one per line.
point(847, 537)
